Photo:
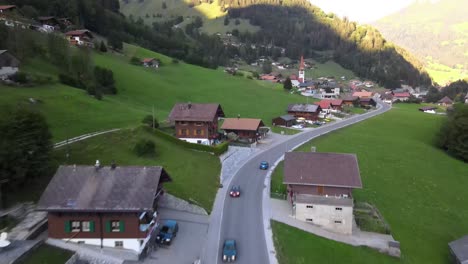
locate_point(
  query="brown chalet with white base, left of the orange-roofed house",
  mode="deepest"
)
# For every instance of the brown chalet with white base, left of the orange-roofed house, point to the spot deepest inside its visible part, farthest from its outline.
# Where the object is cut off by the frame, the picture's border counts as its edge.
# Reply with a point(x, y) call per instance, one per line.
point(196, 123)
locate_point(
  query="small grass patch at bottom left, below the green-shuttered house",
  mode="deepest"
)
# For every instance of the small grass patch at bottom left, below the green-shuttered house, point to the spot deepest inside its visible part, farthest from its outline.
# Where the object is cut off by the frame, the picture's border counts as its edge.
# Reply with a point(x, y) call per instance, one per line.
point(46, 254)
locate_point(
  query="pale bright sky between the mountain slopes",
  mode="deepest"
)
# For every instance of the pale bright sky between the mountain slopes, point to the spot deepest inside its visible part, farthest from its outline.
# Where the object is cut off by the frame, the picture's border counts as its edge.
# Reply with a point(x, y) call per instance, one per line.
point(362, 11)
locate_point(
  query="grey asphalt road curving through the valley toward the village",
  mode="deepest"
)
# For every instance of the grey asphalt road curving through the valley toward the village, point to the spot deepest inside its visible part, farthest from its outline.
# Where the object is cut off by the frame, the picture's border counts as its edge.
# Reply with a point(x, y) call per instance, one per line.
point(242, 218)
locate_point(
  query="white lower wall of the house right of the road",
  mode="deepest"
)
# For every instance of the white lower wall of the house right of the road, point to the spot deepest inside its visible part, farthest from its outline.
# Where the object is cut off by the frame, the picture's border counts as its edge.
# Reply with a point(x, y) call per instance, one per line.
point(327, 216)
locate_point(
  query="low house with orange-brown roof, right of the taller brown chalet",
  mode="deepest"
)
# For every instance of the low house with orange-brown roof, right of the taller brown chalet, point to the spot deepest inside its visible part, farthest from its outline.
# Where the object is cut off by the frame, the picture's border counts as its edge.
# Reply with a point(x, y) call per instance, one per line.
point(244, 128)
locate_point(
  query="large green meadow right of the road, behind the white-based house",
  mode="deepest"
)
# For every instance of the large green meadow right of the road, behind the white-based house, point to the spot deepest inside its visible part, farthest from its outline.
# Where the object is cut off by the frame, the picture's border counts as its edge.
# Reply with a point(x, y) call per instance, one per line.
point(417, 188)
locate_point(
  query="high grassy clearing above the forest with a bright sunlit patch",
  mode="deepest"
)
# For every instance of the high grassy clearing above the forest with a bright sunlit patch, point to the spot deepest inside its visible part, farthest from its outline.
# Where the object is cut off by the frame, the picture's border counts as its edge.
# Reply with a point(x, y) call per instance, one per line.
point(152, 11)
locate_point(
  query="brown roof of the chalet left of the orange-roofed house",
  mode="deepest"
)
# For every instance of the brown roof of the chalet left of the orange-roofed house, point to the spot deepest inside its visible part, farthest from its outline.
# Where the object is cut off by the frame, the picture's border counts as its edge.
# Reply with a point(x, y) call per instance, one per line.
point(195, 112)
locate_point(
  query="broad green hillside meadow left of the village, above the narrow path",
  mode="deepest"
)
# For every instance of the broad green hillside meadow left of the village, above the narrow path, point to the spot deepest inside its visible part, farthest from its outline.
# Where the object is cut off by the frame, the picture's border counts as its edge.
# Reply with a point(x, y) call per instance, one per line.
point(71, 112)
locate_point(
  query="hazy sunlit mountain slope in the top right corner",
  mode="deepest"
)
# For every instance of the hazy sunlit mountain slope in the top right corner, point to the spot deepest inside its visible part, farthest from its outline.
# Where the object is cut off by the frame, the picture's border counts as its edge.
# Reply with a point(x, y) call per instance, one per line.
point(436, 32)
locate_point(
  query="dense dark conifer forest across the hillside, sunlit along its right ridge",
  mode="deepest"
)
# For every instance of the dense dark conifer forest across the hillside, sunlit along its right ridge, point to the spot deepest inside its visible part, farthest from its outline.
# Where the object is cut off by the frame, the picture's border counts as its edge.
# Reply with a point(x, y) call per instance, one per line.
point(295, 27)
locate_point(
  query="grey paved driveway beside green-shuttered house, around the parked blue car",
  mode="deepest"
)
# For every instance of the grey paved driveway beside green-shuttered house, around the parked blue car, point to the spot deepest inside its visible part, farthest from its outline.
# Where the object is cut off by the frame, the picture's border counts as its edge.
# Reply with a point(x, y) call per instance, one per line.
point(186, 247)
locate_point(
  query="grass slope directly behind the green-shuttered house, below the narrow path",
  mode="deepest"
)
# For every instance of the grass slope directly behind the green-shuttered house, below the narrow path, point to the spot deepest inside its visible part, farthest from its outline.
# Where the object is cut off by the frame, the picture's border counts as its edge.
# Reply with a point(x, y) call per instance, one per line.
point(195, 174)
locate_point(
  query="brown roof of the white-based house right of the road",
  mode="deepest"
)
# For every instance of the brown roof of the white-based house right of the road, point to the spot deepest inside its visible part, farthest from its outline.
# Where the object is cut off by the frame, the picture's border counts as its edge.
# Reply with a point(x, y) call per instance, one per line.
point(323, 169)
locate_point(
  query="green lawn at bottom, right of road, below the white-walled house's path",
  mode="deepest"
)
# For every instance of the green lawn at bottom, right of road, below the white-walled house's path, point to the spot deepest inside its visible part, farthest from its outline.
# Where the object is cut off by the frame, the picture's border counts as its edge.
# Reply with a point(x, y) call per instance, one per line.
point(294, 246)
